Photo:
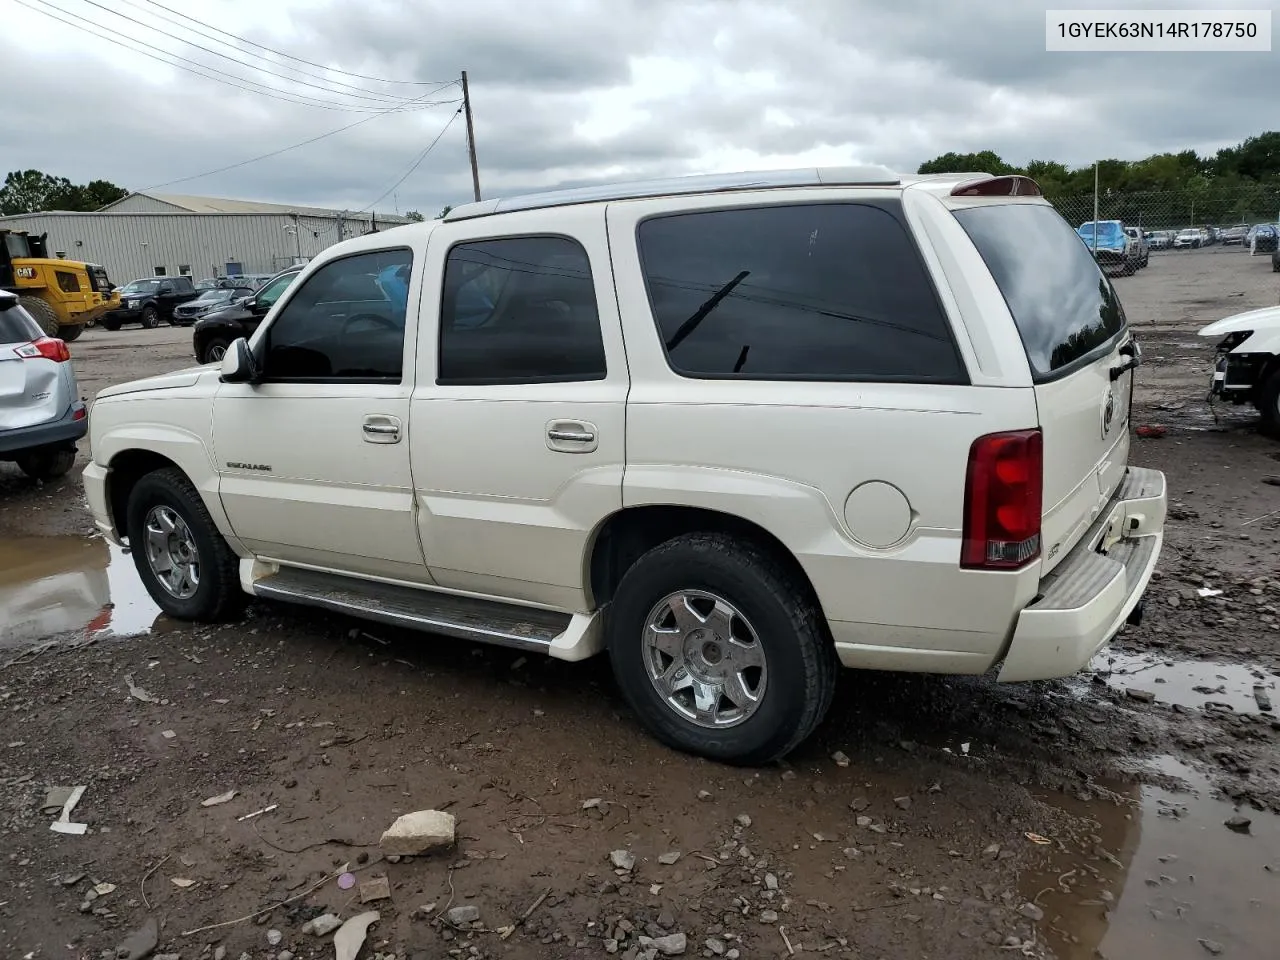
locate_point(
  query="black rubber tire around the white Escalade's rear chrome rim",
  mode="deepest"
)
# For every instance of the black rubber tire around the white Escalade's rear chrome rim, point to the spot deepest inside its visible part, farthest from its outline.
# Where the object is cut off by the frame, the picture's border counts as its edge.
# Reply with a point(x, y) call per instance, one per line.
point(799, 656)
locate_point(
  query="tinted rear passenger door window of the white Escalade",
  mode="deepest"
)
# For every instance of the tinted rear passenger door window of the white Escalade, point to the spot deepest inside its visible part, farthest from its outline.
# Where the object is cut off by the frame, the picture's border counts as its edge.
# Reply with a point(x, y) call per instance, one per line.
point(520, 310)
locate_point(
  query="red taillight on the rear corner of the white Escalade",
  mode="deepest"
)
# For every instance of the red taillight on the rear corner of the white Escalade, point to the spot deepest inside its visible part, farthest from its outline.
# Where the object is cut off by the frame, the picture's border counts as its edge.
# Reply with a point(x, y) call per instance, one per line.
point(1003, 501)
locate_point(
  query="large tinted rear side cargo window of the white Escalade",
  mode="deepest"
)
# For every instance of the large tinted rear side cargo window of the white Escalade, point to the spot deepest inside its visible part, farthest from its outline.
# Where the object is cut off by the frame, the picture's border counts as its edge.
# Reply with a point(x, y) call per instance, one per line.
point(826, 291)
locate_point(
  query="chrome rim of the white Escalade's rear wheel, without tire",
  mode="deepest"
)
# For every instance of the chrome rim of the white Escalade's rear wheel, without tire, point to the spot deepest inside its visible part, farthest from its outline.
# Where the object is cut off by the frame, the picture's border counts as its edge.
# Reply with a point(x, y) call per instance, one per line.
point(705, 659)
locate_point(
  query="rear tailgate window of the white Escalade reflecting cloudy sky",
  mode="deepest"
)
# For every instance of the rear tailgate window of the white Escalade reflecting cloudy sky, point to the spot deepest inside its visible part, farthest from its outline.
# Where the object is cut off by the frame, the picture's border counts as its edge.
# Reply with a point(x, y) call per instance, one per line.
point(1063, 304)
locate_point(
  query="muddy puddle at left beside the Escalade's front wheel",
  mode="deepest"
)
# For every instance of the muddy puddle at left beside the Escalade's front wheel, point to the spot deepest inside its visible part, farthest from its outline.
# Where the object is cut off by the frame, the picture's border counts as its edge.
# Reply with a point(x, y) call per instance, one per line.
point(57, 584)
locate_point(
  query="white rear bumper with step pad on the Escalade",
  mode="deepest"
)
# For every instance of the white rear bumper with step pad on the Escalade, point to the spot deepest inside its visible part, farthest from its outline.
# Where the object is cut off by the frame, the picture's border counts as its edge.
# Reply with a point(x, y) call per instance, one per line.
point(1090, 596)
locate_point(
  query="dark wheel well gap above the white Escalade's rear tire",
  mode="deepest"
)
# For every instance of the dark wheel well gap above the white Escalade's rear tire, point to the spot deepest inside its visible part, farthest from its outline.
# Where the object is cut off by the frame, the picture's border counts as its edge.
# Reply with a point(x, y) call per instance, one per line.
point(628, 536)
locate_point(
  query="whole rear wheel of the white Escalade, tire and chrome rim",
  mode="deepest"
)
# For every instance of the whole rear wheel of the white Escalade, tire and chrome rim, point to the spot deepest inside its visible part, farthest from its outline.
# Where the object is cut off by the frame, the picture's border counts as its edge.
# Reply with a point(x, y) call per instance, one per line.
point(721, 651)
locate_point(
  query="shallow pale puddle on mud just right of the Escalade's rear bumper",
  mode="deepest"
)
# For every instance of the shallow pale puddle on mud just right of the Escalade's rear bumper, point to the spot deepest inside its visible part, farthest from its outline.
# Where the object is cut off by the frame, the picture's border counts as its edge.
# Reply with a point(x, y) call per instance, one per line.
point(1194, 684)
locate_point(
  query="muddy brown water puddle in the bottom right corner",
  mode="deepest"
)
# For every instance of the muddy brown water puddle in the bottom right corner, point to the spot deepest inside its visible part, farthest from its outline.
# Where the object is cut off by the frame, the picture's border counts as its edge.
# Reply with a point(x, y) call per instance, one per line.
point(1159, 875)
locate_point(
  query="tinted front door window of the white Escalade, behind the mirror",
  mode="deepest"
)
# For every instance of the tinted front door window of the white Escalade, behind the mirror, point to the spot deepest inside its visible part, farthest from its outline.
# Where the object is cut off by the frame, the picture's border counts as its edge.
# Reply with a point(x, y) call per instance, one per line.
point(345, 323)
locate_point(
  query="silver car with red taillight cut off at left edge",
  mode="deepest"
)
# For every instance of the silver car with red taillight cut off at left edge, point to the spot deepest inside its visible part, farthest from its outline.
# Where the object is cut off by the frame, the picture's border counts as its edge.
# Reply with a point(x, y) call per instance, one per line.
point(42, 414)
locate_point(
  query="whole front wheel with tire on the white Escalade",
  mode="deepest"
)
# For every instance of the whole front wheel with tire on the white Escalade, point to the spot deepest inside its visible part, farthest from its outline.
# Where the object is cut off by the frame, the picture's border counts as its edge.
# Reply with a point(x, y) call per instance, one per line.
point(184, 561)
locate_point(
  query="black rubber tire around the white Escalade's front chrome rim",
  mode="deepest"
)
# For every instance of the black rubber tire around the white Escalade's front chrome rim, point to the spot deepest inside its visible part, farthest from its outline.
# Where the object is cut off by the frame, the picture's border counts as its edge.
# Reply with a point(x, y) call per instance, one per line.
point(218, 595)
